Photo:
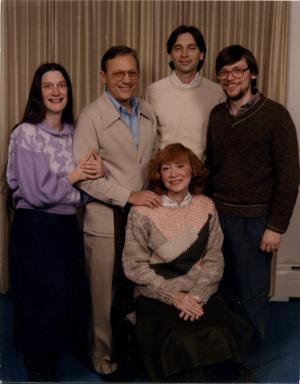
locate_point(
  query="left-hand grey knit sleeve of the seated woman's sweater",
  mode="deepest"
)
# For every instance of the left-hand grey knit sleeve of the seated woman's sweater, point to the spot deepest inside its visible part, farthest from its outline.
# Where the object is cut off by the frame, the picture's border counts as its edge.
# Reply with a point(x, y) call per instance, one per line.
point(136, 259)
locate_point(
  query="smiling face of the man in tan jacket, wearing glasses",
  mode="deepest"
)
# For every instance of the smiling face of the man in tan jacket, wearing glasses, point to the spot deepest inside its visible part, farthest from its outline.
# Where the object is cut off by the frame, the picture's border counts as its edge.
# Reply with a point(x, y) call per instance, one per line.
point(121, 78)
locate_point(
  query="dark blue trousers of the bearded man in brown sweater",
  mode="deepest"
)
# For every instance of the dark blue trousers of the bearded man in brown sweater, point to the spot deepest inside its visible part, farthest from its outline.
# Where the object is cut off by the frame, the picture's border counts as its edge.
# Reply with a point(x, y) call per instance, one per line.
point(246, 282)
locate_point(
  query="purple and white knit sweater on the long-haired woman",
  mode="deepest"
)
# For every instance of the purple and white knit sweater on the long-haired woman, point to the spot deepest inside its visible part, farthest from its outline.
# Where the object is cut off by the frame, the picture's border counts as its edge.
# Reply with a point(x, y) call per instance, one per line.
point(39, 159)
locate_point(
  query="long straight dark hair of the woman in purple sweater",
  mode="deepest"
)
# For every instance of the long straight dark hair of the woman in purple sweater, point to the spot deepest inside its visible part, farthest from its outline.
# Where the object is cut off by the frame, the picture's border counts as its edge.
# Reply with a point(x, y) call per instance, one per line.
point(35, 113)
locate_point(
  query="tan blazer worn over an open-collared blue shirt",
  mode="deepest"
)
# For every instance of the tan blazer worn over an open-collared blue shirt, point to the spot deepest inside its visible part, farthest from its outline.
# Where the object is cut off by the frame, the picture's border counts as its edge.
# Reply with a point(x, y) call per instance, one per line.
point(99, 127)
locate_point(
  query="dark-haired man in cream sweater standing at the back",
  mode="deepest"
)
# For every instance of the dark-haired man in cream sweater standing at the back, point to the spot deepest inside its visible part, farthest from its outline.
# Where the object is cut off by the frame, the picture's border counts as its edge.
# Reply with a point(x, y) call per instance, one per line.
point(183, 100)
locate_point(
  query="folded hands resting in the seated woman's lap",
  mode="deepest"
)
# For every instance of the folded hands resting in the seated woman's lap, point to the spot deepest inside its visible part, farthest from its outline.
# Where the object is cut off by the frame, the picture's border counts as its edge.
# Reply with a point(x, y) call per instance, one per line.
point(190, 306)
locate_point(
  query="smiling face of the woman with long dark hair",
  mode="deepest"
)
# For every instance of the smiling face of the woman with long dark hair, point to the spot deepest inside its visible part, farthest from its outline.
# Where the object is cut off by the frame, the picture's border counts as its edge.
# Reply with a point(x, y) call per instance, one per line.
point(54, 92)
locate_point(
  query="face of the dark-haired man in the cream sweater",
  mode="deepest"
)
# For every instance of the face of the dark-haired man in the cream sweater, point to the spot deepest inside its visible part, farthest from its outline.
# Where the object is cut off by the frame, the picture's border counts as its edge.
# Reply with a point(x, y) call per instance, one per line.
point(186, 54)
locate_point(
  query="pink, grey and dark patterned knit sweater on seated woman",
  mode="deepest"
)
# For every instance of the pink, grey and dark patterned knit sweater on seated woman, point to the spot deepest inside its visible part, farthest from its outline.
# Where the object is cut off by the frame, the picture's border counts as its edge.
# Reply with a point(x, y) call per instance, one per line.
point(168, 250)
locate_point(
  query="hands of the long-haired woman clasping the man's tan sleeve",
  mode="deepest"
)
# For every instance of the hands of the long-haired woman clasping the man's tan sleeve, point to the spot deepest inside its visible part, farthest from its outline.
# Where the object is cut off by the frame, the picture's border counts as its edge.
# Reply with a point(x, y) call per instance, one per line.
point(90, 167)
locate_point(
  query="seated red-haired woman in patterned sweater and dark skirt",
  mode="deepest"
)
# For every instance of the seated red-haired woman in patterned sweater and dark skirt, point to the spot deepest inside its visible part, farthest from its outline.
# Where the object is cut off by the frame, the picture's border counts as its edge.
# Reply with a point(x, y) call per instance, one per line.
point(173, 255)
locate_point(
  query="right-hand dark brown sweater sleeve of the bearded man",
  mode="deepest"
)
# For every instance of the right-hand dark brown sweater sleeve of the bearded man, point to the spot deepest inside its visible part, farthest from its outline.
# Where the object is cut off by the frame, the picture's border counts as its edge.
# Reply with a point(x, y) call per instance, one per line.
point(286, 171)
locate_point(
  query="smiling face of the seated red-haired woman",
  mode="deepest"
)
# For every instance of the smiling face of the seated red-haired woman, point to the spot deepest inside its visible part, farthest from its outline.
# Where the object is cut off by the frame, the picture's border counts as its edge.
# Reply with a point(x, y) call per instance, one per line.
point(176, 176)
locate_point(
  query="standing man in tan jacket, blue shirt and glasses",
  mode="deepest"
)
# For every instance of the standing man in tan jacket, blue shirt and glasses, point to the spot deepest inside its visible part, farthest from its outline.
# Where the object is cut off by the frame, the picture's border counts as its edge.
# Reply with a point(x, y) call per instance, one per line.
point(122, 129)
